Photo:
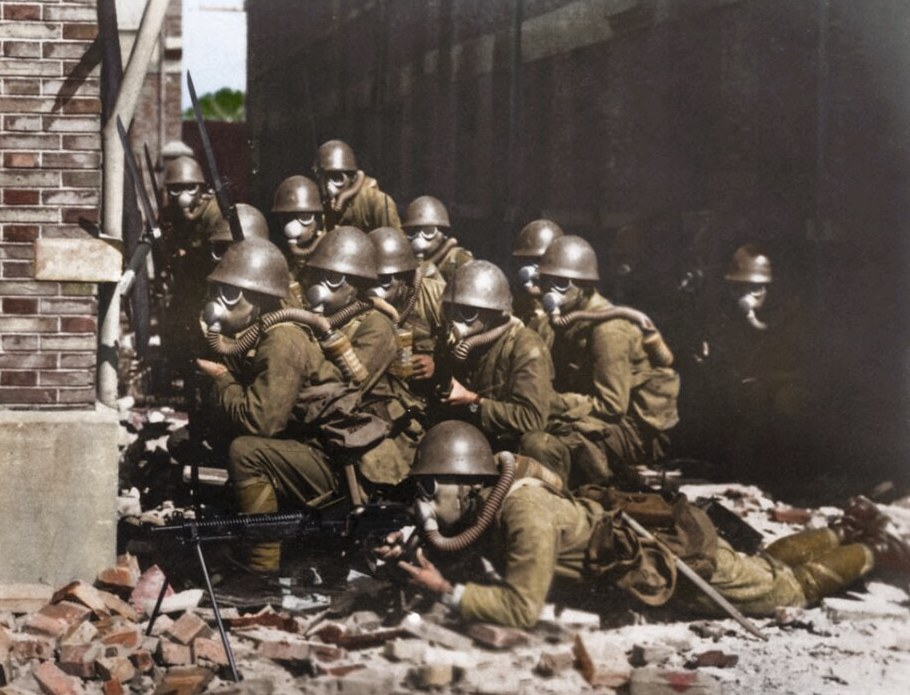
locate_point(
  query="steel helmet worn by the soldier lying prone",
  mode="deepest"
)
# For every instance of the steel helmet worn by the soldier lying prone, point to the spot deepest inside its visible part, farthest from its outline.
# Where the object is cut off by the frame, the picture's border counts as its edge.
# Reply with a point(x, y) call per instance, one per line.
point(454, 447)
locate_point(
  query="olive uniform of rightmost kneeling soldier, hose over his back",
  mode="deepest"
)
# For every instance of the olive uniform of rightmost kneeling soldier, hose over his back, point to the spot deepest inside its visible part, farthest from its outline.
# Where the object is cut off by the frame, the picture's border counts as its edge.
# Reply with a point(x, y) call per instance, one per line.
point(614, 405)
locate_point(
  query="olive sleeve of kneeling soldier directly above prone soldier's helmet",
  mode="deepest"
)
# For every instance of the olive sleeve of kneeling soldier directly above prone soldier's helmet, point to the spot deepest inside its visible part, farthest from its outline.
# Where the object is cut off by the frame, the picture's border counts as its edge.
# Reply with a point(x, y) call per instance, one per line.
point(526, 405)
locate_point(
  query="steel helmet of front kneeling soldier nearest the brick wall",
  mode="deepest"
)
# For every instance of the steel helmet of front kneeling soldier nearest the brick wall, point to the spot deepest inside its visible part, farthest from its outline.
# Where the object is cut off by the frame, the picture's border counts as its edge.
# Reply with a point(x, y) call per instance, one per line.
point(256, 265)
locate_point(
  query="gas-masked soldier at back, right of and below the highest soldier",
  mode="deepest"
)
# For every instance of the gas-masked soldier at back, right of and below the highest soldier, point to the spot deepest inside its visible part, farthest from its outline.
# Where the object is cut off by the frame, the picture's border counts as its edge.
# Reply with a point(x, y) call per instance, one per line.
point(426, 222)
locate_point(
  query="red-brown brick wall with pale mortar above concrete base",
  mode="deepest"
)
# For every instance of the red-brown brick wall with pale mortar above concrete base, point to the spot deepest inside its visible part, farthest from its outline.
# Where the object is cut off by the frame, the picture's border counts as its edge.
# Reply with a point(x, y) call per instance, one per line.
point(50, 184)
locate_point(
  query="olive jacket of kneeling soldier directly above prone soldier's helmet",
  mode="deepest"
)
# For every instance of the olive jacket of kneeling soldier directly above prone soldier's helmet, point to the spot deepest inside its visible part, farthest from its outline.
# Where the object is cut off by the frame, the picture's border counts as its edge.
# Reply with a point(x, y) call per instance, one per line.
point(513, 377)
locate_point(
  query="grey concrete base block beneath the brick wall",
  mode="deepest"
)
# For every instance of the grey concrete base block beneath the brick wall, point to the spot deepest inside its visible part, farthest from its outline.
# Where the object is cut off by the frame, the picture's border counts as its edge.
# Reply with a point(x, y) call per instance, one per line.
point(58, 504)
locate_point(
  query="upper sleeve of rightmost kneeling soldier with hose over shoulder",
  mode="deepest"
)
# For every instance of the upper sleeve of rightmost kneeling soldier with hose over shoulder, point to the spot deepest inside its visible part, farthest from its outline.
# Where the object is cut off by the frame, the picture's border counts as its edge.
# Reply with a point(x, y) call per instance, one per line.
point(611, 353)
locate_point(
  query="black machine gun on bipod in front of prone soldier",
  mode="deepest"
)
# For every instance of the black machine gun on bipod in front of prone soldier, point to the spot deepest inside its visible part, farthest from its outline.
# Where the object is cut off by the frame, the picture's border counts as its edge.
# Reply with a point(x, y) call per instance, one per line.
point(356, 528)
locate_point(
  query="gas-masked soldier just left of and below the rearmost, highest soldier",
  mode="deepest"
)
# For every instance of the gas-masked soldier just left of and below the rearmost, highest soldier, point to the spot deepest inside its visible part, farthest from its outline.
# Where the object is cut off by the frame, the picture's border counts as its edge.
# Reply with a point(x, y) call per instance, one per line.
point(297, 208)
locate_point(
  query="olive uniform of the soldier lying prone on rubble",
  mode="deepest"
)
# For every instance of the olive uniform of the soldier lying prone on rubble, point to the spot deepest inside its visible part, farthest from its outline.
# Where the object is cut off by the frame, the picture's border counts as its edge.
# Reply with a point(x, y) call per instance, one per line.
point(540, 535)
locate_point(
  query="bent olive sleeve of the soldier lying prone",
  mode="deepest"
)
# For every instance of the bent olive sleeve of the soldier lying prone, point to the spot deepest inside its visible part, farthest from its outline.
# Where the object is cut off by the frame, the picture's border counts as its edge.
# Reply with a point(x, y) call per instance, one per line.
point(529, 541)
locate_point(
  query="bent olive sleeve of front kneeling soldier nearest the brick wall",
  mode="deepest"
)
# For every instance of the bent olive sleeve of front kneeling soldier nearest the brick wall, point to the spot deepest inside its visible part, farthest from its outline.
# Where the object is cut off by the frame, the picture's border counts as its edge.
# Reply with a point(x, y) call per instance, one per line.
point(264, 406)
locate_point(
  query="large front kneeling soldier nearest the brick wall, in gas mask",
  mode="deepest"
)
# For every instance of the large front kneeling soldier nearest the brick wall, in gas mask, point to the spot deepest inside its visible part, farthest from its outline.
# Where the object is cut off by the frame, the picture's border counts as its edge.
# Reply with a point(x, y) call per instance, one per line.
point(284, 407)
